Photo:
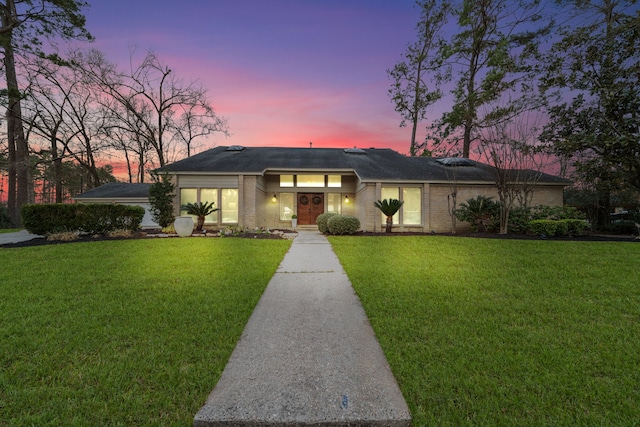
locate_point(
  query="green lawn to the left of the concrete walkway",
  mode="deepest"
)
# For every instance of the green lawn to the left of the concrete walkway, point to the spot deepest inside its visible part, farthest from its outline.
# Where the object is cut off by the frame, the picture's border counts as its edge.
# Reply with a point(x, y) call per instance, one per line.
point(123, 332)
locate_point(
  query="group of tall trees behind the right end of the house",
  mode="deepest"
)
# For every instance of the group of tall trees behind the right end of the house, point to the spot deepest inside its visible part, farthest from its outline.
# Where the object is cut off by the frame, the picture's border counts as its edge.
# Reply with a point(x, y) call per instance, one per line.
point(524, 84)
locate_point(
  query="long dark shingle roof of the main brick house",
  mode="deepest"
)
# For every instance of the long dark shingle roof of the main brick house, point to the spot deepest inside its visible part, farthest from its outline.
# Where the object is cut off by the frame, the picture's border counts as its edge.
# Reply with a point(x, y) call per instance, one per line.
point(369, 164)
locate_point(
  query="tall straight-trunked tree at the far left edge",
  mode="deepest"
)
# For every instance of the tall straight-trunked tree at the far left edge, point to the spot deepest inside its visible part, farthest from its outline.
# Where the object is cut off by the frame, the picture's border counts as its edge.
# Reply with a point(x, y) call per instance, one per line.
point(24, 26)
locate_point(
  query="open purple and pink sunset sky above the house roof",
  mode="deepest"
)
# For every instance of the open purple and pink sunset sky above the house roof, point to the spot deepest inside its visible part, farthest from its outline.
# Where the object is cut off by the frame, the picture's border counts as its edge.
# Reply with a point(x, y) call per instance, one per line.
point(282, 72)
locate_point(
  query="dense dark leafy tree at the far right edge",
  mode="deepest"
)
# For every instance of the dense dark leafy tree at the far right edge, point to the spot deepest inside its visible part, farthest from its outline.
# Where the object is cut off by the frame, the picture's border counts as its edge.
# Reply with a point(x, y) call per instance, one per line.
point(592, 78)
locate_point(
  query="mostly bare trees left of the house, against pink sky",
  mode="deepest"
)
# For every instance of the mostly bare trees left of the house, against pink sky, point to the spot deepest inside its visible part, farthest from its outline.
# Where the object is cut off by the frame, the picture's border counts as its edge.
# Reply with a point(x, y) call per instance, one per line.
point(67, 114)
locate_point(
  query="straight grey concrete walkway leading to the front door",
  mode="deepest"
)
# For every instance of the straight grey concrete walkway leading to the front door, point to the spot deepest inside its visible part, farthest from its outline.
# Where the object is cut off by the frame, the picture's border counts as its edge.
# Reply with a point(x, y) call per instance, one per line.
point(308, 355)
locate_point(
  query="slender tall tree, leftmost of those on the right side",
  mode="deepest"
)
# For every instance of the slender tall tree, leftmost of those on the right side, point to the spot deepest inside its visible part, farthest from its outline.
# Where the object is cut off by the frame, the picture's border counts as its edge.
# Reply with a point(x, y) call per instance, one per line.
point(410, 89)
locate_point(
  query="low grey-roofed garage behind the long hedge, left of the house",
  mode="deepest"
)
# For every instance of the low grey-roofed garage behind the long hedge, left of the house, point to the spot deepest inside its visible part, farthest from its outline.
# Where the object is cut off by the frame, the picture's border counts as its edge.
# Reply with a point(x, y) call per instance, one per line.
point(122, 193)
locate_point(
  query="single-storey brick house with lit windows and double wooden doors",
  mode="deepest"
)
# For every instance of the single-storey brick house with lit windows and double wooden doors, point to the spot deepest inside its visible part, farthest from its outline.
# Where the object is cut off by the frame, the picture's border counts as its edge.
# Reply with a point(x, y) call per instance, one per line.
point(265, 186)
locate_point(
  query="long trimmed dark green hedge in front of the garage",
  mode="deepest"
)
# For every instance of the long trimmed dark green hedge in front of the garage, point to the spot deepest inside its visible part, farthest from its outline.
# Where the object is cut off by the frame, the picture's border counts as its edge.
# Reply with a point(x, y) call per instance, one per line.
point(90, 218)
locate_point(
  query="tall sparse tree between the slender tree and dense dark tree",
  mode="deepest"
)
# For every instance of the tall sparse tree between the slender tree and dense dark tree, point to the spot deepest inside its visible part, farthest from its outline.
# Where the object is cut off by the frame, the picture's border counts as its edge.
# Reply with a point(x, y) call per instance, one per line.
point(490, 58)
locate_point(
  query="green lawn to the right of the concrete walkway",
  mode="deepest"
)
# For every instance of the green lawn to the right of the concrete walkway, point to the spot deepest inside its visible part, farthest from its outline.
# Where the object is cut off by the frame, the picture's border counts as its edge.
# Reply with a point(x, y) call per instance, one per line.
point(503, 333)
